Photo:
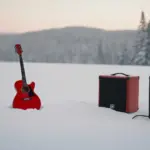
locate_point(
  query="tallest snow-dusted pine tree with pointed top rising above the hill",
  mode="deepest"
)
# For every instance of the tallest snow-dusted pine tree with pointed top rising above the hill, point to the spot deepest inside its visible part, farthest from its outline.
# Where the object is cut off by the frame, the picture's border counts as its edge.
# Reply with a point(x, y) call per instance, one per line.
point(141, 42)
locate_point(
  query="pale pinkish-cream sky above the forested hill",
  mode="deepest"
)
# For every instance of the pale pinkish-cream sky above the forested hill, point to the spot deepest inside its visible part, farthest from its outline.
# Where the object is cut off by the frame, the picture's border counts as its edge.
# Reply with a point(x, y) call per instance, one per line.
point(33, 15)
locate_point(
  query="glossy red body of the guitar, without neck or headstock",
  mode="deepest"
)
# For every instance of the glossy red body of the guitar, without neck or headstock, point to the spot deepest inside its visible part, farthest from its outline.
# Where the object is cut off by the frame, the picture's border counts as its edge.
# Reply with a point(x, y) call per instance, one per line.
point(26, 100)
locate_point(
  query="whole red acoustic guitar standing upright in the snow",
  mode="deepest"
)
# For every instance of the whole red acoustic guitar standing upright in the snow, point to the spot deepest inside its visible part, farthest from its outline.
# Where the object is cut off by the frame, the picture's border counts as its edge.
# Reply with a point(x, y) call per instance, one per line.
point(25, 97)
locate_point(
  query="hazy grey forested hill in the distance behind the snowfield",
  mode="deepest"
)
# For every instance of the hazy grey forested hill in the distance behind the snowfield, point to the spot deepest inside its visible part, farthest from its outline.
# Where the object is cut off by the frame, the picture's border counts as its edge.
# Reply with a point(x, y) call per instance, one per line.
point(68, 45)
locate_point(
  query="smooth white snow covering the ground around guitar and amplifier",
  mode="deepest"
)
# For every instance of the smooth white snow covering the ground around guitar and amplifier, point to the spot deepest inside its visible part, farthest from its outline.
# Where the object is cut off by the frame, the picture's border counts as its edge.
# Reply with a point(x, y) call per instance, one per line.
point(70, 118)
